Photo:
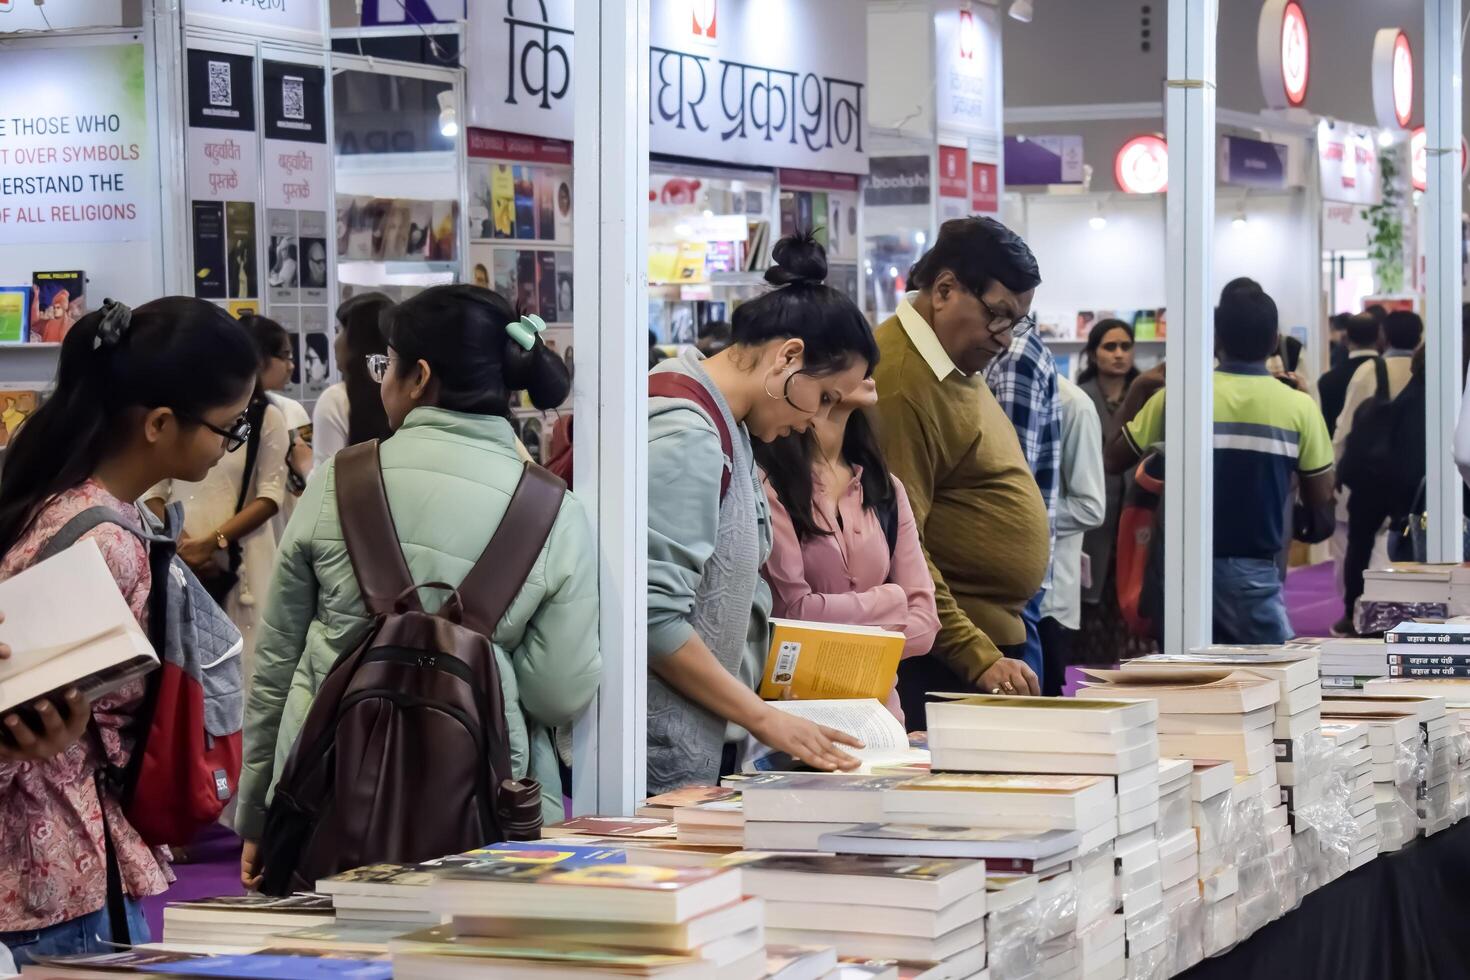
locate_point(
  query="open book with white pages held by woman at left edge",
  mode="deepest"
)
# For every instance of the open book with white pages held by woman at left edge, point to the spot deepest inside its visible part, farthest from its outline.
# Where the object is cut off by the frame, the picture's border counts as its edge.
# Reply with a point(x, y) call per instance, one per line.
point(68, 627)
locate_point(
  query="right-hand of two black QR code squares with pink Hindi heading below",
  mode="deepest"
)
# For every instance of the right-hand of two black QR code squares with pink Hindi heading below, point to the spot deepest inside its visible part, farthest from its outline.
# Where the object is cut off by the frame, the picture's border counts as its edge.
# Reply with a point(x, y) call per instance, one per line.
point(298, 161)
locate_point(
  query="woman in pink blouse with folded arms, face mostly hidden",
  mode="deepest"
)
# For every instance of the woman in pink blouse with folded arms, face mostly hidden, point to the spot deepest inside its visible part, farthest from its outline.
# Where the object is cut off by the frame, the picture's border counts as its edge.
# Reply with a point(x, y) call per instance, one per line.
point(846, 543)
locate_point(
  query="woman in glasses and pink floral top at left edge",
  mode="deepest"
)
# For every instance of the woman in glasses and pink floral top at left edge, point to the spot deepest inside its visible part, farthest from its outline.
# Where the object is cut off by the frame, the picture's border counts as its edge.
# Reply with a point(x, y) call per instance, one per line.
point(142, 396)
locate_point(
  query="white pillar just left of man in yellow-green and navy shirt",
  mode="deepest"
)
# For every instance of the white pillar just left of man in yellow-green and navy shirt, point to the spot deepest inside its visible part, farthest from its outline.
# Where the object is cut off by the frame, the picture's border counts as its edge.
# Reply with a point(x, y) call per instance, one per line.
point(1190, 350)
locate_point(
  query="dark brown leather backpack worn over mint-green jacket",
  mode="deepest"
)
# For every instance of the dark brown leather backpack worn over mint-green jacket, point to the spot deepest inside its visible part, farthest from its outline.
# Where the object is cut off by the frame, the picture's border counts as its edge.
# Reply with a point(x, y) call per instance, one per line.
point(405, 753)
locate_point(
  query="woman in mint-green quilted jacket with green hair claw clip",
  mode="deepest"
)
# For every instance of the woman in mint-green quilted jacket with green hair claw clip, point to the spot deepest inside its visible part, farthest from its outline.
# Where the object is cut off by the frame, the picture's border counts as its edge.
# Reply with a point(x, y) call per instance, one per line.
point(455, 356)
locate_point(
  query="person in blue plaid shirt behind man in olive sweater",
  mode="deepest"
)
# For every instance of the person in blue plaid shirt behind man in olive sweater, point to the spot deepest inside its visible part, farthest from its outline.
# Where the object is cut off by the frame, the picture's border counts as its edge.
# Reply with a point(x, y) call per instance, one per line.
point(1024, 381)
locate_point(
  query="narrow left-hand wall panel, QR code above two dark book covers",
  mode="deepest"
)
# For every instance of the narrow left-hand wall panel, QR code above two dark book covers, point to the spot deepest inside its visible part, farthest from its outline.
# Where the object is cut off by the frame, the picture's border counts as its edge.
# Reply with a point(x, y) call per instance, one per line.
point(224, 176)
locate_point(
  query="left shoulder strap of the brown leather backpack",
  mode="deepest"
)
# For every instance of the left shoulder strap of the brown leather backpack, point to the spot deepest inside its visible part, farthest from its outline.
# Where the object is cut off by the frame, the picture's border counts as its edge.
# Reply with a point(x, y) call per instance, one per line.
point(373, 541)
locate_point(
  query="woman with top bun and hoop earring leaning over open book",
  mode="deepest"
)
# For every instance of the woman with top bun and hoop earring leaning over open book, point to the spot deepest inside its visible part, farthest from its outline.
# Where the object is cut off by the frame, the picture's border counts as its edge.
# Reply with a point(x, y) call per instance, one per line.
point(797, 353)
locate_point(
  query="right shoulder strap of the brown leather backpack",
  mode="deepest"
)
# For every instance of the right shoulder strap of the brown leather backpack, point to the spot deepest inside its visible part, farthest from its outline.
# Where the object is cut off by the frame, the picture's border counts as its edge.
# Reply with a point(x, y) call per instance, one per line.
point(506, 563)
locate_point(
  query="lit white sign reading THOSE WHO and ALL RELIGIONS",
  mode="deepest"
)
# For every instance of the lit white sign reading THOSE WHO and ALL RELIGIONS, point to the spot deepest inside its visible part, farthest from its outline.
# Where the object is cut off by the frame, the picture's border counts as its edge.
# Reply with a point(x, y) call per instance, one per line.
point(76, 154)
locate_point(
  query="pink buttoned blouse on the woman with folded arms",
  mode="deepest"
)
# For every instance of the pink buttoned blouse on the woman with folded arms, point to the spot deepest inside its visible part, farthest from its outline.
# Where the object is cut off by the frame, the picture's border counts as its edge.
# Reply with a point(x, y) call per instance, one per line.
point(847, 577)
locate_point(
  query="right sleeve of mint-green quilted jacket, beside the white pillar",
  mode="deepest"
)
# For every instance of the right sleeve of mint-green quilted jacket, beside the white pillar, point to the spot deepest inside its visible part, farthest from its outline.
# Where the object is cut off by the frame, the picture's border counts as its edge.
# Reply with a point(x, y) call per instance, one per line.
point(559, 662)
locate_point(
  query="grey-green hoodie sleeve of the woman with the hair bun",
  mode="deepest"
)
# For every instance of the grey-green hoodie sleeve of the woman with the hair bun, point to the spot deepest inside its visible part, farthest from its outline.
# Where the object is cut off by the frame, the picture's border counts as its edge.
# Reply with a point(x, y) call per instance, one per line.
point(684, 515)
